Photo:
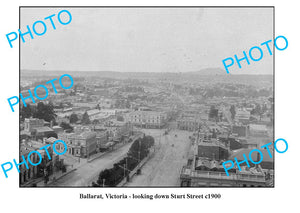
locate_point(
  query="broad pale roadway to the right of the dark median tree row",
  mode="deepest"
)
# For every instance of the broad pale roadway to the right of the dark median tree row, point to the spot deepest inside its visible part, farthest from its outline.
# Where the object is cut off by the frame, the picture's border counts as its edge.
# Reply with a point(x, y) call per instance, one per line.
point(163, 169)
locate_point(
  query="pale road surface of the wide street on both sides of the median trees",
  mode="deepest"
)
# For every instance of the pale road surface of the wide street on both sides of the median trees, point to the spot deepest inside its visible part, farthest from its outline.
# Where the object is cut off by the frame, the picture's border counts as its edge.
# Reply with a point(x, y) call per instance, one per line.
point(163, 169)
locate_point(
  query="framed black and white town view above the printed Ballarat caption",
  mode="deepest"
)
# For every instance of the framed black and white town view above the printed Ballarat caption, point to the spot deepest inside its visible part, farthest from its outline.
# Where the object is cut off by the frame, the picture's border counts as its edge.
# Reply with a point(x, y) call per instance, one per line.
point(146, 97)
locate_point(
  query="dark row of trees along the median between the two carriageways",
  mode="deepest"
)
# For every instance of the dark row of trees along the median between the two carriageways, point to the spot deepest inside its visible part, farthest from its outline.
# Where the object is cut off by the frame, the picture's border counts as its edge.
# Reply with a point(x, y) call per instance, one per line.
point(137, 152)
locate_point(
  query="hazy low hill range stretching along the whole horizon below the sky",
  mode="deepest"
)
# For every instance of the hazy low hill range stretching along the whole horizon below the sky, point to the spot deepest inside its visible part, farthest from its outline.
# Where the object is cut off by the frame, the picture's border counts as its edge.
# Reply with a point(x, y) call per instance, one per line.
point(204, 76)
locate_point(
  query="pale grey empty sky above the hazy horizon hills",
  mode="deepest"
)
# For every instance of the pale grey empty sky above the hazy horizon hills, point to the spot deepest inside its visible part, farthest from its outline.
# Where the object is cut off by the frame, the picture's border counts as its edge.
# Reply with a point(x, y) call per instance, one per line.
point(147, 39)
